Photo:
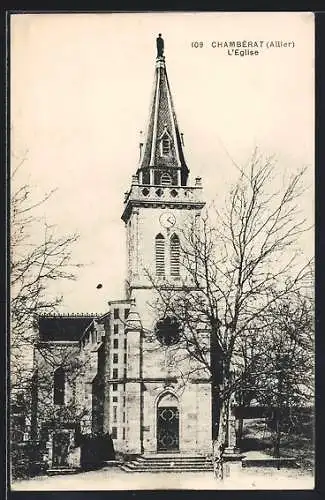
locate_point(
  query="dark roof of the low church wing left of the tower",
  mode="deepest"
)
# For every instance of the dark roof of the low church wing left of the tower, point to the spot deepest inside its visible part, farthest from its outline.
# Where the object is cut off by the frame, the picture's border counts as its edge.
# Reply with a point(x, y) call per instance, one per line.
point(64, 327)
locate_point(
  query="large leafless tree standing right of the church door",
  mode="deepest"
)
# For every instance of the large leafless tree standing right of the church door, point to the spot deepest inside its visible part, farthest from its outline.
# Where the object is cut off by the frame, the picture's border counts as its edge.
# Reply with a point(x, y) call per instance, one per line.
point(238, 266)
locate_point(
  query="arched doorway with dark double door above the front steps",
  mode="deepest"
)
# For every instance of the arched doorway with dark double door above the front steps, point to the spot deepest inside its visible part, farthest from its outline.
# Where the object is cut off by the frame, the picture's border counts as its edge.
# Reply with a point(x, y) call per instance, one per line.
point(167, 423)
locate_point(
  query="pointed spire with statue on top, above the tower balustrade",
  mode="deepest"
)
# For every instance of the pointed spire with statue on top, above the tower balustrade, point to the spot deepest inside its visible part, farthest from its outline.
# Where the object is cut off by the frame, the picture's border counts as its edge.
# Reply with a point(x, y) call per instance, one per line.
point(162, 159)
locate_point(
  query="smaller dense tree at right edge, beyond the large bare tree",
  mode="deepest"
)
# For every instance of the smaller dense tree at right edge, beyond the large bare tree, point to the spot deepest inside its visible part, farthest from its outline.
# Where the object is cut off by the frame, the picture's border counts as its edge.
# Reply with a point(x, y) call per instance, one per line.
point(284, 364)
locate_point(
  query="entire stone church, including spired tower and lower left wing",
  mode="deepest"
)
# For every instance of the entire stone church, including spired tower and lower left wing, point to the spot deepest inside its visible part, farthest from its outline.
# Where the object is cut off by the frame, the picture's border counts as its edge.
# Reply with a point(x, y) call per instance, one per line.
point(118, 373)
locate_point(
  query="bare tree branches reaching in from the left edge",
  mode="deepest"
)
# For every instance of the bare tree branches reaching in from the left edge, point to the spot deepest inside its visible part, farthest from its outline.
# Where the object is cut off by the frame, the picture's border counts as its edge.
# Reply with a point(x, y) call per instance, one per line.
point(38, 256)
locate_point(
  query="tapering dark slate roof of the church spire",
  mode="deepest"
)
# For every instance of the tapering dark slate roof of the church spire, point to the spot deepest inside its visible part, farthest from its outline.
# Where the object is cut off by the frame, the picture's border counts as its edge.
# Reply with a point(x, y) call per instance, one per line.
point(162, 124)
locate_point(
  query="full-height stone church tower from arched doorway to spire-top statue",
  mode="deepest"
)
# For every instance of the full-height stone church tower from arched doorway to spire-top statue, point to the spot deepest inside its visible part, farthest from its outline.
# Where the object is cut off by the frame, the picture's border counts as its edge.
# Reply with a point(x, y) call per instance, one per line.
point(163, 412)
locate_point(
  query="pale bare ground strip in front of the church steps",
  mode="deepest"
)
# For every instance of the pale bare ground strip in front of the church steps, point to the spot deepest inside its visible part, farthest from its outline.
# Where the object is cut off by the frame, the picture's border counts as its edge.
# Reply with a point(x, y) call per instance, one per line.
point(116, 479)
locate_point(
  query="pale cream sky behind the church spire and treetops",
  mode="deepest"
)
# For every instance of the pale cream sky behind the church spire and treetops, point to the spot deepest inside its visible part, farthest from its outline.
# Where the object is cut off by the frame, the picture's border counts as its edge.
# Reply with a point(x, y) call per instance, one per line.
point(80, 93)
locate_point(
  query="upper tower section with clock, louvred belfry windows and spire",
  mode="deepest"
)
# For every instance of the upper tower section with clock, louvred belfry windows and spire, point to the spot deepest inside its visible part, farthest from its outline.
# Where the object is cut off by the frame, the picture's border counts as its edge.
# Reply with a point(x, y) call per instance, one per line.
point(161, 200)
